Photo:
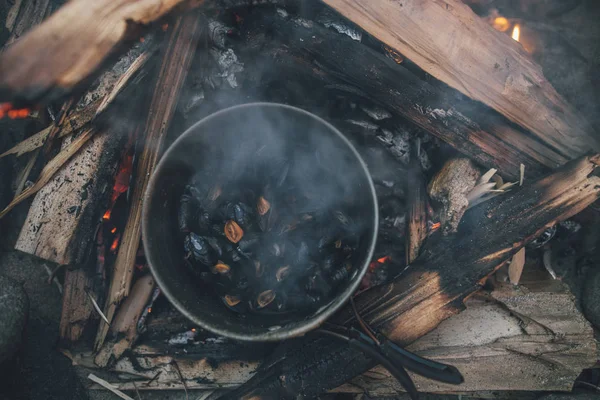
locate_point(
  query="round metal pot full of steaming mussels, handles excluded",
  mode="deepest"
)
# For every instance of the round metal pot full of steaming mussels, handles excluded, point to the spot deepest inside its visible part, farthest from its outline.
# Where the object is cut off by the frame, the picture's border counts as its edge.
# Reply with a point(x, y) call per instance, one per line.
point(312, 208)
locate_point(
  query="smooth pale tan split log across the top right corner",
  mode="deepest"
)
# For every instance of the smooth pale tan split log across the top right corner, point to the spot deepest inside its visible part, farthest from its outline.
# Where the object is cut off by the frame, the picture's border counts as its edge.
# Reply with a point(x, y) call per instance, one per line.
point(449, 41)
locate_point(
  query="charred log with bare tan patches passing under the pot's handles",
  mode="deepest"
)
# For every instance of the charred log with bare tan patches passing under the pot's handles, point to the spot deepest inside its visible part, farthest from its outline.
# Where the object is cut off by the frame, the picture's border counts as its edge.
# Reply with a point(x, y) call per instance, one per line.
point(434, 287)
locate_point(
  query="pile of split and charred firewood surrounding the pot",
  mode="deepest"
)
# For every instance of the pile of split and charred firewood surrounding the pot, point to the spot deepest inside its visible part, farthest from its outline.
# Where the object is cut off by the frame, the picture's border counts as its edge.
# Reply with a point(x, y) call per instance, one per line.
point(489, 101)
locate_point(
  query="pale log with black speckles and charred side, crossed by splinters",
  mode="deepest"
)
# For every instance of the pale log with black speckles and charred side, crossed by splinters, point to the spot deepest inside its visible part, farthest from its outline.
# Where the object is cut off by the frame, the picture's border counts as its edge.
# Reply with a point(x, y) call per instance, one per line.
point(62, 220)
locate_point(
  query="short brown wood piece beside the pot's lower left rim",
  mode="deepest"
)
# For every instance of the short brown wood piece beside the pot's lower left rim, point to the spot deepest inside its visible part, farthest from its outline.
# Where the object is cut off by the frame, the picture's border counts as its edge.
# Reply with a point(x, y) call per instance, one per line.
point(125, 322)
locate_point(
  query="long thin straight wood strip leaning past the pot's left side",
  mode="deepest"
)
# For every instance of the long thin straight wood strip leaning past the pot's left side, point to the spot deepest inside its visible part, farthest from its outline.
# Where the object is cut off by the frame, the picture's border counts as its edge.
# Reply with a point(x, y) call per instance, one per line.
point(177, 57)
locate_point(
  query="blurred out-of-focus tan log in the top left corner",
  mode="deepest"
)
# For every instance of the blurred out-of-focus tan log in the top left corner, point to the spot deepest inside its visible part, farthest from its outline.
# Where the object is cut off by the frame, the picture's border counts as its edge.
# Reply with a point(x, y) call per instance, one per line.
point(65, 51)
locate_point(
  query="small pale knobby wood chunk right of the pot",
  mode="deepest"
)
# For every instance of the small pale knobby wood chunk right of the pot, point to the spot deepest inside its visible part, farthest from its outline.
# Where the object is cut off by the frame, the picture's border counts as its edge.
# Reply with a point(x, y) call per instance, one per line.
point(450, 187)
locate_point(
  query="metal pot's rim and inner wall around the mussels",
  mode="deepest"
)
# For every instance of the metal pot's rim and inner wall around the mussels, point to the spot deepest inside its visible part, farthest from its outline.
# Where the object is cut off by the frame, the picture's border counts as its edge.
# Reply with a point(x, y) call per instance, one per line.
point(235, 134)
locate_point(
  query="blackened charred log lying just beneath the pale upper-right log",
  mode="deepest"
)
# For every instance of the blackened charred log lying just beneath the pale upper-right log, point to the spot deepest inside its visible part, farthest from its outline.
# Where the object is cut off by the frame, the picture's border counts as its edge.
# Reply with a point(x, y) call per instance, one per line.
point(313, 53)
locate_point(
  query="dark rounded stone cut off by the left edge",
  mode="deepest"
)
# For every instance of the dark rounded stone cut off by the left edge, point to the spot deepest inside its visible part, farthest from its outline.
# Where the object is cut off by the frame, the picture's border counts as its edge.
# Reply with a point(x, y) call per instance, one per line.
point(14, 306)
